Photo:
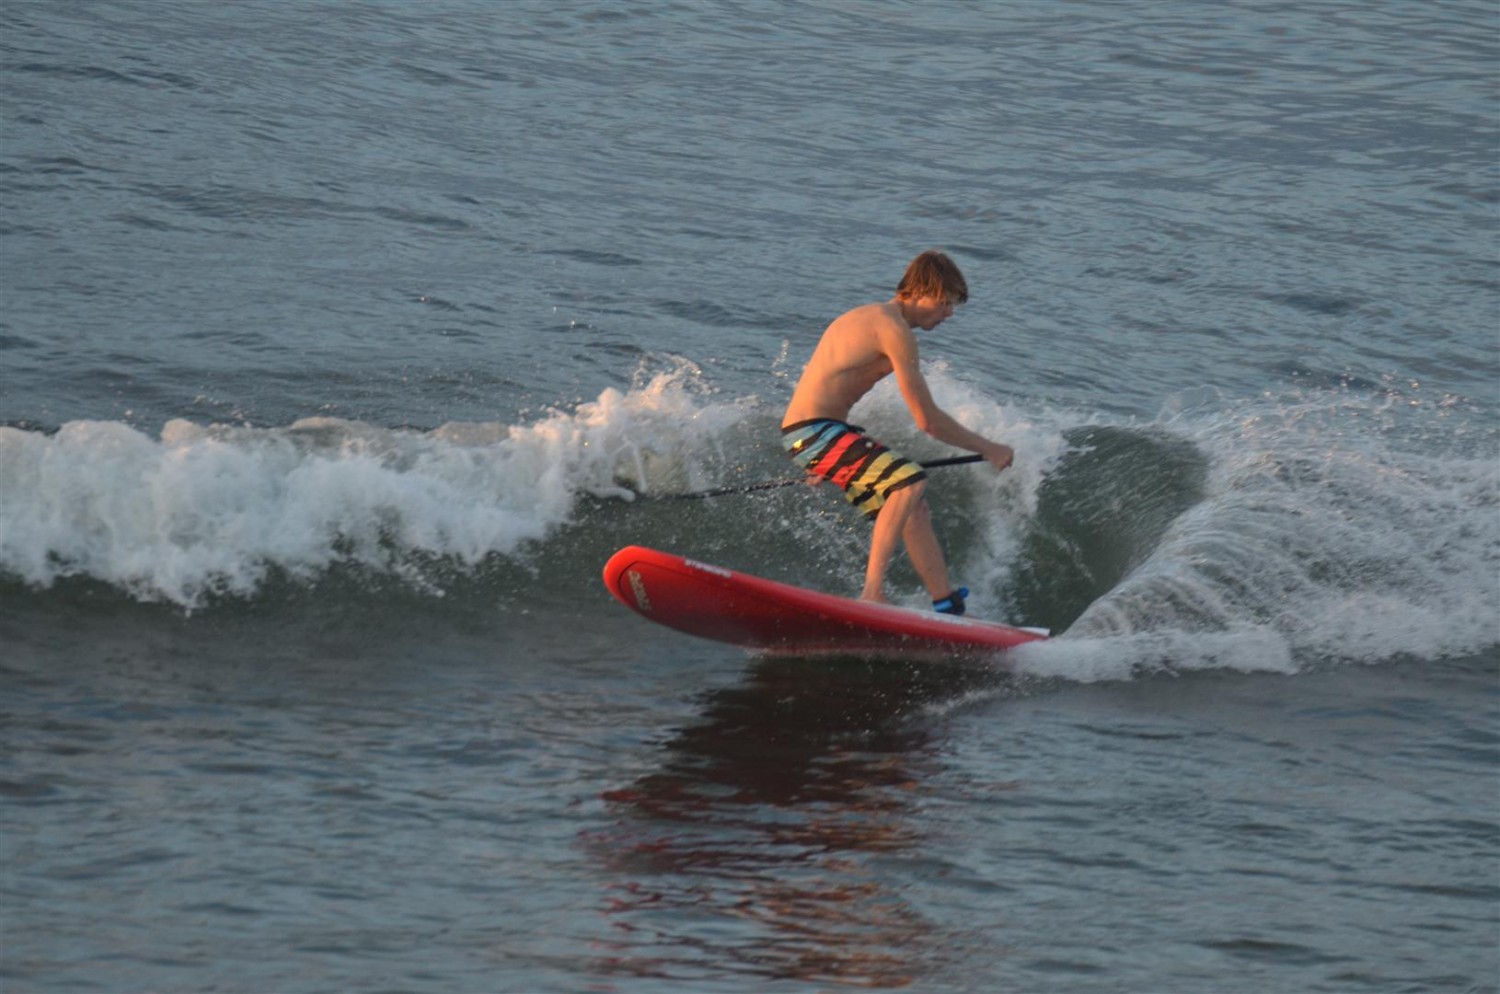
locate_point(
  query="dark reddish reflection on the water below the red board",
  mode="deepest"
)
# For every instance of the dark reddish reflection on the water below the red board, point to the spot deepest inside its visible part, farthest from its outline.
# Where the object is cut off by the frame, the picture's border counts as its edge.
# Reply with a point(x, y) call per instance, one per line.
point(772, 840)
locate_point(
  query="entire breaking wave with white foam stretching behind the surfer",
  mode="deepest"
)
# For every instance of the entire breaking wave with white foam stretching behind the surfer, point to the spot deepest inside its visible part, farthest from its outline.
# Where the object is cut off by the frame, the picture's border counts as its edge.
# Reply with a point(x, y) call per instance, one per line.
point(1259, 534)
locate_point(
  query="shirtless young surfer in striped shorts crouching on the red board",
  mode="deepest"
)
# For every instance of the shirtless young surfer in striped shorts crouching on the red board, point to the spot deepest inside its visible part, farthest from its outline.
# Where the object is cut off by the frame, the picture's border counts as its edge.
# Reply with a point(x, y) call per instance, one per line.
point(857, 352)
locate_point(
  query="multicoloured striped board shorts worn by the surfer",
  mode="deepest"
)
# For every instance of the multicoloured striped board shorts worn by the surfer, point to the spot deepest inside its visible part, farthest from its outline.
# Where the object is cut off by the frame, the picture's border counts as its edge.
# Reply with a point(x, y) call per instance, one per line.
point(865, 470)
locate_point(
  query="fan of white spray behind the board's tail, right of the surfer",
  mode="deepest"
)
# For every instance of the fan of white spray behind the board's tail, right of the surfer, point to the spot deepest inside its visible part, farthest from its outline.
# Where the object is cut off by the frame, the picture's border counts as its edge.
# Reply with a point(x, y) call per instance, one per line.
point(1334, 527)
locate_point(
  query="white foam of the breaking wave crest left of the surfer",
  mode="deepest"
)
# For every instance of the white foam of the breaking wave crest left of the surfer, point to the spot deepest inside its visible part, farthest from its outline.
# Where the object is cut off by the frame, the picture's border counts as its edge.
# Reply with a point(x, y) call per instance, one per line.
point(212, 510)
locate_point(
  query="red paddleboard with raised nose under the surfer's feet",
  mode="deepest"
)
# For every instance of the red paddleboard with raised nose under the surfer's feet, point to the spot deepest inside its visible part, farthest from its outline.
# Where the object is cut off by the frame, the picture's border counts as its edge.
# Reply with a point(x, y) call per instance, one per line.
point(748, 611)
